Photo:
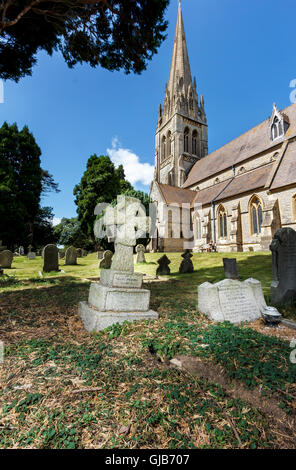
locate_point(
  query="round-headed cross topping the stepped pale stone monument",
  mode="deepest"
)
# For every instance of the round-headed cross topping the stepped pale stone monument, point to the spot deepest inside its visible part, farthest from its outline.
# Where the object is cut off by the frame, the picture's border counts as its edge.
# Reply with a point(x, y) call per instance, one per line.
point(127, 222)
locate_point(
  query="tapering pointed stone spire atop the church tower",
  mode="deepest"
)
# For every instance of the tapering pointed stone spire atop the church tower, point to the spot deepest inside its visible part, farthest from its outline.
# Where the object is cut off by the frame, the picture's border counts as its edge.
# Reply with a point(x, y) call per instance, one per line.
point(180, 73)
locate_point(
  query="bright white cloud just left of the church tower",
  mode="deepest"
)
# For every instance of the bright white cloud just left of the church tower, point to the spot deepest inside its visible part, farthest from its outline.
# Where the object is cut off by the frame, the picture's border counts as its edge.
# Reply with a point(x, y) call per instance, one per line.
point(135, 171)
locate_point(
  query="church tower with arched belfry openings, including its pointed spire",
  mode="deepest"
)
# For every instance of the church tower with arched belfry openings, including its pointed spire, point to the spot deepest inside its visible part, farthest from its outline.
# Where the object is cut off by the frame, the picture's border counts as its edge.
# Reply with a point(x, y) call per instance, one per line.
point(182, 133)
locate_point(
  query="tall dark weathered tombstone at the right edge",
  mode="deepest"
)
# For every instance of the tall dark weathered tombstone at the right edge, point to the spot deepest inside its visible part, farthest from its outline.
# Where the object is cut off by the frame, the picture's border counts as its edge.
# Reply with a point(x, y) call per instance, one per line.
point(283, 248)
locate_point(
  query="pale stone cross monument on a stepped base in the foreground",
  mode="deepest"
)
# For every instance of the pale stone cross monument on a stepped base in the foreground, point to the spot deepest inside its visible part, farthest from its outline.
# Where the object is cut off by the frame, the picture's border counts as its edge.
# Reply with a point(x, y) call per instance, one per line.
point(119, 296)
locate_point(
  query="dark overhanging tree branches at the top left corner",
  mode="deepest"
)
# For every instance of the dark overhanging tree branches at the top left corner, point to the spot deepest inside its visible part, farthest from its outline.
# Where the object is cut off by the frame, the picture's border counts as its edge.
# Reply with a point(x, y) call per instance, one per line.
point(116, 34)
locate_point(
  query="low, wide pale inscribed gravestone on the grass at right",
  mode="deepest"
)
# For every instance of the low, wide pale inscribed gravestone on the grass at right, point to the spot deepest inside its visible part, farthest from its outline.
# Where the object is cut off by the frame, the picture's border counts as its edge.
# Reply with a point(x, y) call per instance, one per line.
point(232, 300)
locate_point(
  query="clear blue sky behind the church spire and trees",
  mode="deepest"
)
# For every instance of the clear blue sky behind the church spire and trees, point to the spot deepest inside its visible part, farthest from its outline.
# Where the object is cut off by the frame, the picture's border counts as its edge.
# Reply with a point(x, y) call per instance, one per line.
point(242, 52)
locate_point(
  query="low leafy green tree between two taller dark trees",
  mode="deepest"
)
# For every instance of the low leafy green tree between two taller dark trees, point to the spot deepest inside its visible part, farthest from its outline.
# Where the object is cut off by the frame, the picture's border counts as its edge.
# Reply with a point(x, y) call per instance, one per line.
point(68, 232)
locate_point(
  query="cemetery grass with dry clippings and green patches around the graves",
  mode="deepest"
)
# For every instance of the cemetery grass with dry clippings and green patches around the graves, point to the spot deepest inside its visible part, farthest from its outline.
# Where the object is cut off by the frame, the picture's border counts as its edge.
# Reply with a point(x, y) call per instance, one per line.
point(62, 387)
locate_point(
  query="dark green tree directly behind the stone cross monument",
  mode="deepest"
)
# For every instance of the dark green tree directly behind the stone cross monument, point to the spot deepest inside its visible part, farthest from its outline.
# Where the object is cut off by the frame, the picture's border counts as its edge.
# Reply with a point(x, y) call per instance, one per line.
point(100, 183)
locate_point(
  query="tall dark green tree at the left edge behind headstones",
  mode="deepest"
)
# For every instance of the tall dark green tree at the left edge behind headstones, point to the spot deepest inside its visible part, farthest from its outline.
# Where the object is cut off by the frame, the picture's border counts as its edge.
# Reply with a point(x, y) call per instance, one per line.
point(22, 181)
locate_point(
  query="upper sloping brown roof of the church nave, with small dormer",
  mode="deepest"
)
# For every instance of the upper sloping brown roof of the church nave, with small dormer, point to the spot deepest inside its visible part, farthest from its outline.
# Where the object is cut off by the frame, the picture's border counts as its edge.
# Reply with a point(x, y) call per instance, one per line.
point(250, 144)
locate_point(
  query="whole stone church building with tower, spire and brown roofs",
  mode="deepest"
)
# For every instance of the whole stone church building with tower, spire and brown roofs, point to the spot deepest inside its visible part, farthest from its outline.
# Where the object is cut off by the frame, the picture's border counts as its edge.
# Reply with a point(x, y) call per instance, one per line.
point(236, 197)
